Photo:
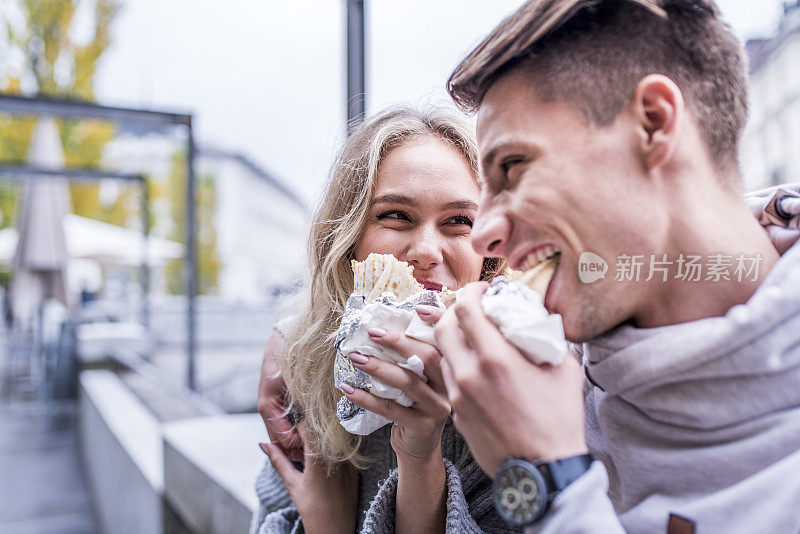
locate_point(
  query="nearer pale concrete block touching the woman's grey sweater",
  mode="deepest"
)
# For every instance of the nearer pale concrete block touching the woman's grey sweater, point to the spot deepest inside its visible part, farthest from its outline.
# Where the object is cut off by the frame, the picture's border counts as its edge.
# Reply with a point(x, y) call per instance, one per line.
point(210, 465)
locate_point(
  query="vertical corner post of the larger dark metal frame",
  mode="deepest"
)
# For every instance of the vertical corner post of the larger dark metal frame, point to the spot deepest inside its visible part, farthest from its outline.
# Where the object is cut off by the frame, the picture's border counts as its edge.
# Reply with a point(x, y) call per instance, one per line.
point(191, 260)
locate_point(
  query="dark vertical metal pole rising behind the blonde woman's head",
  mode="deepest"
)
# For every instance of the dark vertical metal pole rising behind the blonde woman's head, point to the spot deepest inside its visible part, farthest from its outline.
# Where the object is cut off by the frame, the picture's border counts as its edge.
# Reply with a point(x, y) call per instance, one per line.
point(356, 94)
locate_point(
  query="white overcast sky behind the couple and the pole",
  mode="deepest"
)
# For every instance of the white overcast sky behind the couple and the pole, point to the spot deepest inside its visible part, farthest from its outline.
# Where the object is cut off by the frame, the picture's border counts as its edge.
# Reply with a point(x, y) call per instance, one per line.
point(266, 78)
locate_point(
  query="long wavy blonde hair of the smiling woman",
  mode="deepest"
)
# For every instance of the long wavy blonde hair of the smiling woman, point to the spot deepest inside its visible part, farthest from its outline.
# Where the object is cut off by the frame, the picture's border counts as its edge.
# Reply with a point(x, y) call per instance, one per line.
point(339, 222)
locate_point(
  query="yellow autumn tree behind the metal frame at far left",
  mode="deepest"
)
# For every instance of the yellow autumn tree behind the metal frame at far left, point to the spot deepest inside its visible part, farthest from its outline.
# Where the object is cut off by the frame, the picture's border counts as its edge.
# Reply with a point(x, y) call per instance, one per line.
point(44, 58)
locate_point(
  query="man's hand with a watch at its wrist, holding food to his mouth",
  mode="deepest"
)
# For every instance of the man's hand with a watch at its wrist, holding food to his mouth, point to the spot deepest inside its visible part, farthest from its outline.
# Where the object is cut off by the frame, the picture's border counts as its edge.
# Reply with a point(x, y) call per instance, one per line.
point(504, 405)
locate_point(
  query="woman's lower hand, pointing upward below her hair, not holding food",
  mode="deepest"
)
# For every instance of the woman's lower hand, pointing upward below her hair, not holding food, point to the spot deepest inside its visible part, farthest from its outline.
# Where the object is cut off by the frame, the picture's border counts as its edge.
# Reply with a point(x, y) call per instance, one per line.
point(325, 503)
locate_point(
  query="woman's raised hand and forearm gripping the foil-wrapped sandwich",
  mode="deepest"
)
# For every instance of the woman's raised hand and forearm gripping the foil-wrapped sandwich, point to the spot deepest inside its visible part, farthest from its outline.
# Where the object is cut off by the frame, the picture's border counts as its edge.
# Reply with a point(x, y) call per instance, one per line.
point(421, 502)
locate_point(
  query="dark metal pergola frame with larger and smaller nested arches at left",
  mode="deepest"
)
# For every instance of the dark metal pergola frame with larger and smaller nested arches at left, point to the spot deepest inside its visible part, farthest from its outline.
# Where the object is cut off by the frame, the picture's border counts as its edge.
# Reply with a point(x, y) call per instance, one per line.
point(158, 120)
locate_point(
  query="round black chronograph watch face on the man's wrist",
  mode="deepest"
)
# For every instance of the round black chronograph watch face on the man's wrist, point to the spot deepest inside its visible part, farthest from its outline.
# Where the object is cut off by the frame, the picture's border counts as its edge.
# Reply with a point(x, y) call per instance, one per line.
point(520, 494)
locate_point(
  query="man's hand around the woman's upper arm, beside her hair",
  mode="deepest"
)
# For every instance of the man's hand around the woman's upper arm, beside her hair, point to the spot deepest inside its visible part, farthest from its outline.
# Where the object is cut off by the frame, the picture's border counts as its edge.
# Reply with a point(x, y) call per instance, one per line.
point(271, 397)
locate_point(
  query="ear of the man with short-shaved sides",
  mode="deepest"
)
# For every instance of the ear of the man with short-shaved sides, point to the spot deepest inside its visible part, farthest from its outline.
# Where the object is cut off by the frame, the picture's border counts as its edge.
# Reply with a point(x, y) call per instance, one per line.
point(659, 110)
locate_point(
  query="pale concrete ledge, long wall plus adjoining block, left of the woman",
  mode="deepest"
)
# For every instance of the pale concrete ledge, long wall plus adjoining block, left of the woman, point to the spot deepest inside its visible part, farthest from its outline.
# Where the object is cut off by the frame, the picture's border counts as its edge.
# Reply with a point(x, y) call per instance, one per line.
point(145, 476)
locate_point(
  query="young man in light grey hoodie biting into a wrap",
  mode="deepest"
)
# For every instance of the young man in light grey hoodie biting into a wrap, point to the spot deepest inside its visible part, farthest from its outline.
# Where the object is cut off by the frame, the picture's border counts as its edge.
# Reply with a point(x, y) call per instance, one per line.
point(608, 133)
